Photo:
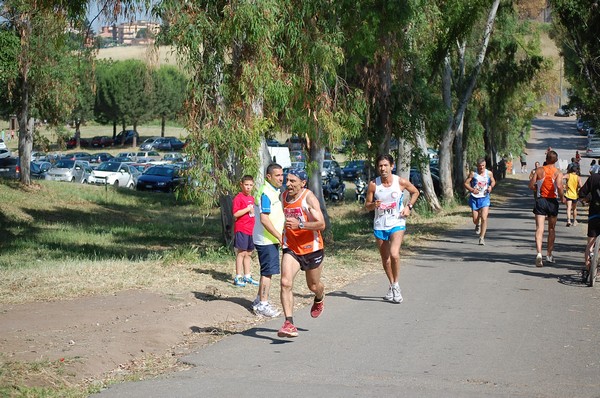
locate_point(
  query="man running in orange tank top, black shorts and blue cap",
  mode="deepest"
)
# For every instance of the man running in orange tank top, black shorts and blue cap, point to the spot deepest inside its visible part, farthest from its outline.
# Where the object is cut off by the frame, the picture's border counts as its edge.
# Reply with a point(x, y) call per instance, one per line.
point(302, 247)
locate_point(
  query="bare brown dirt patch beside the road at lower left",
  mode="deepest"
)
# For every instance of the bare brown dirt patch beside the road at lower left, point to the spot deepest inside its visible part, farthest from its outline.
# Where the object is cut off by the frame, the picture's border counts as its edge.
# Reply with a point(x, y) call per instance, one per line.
point(96, 335)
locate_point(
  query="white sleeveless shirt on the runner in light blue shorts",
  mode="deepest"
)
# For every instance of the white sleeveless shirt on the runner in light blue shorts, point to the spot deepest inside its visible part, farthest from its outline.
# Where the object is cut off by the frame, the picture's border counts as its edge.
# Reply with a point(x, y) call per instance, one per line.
point(387, 216)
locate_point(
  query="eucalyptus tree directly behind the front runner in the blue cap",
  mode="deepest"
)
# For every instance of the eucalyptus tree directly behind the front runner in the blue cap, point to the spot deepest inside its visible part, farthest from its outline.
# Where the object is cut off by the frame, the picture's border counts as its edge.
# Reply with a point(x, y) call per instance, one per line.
point(324, 108)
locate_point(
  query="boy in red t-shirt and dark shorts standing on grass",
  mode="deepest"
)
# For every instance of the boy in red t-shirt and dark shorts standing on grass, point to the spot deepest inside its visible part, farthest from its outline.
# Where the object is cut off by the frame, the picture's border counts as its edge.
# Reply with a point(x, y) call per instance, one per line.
point(243, 213)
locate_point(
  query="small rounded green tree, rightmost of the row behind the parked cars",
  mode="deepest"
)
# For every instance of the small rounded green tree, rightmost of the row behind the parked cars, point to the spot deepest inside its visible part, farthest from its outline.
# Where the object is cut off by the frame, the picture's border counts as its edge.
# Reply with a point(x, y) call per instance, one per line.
point(170, 91)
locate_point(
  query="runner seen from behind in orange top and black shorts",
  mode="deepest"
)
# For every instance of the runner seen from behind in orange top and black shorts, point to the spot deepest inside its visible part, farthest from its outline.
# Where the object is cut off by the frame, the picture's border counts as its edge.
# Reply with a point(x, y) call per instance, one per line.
point(548, 184)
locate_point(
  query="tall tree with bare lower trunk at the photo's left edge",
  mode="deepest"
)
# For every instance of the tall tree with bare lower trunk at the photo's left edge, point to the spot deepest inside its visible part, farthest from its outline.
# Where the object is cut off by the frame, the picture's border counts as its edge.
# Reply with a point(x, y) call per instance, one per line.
point(41, 27)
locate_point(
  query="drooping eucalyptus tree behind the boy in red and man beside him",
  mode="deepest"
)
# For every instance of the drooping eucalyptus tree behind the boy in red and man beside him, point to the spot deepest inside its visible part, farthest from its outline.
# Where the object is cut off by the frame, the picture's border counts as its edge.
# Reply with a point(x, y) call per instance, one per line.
point(236, 86)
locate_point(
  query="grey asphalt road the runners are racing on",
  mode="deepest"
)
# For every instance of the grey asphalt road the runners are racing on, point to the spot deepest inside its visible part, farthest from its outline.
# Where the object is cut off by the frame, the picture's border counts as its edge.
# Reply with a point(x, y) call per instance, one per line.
point(475, 322)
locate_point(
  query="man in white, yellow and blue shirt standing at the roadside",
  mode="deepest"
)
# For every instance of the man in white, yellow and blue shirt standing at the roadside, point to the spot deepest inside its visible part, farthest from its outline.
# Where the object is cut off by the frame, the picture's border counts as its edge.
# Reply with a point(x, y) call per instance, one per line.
point(268, 237)
